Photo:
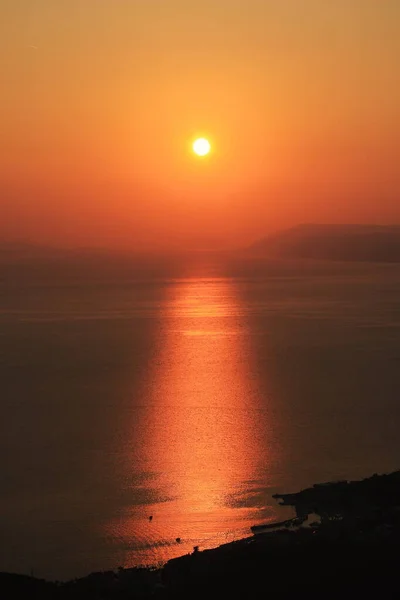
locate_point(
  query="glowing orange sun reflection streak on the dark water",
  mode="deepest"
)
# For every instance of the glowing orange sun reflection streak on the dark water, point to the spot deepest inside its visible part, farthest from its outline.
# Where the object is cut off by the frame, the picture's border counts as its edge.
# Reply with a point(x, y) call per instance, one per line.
point(199, 442)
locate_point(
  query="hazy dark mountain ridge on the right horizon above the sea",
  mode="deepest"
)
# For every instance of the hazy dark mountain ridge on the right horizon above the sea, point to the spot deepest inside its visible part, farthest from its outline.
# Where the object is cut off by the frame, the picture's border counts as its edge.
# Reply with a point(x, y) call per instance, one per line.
point(334, 242)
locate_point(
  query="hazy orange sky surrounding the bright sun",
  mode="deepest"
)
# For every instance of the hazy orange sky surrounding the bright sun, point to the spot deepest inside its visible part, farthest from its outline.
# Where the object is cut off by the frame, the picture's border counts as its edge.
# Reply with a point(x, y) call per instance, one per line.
point(100, 100)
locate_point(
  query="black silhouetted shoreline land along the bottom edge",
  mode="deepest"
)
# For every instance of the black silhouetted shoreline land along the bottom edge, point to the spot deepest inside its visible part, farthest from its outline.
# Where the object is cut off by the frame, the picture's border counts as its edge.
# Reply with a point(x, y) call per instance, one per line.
point(353, 550)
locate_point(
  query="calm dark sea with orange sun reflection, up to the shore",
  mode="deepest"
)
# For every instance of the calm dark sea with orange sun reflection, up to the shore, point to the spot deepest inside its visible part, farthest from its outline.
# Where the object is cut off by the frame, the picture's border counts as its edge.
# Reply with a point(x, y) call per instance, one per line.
point(189, 399)
